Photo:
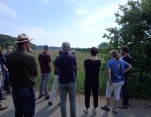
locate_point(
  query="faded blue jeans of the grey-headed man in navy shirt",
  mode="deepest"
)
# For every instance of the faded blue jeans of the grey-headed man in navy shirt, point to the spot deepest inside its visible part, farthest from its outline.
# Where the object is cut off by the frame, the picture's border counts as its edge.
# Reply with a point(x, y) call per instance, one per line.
point(71, 89)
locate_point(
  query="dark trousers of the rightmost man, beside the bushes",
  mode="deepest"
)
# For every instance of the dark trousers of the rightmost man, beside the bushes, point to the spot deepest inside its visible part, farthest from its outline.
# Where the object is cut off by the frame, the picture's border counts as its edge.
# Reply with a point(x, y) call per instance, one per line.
point(125, 94)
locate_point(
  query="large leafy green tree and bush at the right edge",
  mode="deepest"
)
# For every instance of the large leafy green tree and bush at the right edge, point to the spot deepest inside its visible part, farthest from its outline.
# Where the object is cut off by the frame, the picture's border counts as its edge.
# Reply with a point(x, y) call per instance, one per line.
point(133, 29)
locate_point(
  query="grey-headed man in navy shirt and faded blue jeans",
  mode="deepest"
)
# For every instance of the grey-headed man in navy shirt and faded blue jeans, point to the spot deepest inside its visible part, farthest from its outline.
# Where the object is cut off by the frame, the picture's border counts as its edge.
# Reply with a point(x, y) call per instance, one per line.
point(66, 64)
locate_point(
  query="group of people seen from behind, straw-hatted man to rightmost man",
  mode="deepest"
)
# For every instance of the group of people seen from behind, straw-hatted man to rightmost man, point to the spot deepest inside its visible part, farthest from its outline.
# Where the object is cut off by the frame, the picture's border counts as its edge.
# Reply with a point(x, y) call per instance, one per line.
point(22, 69)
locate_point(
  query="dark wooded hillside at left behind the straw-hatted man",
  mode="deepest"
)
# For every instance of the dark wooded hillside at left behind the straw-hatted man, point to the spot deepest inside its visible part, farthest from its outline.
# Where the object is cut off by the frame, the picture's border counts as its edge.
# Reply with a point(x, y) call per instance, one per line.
point(6, 40)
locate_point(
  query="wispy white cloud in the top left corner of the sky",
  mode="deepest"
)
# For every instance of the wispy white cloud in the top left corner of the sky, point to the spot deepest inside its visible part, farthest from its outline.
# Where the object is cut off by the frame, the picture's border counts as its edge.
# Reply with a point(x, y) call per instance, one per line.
point(6, 10)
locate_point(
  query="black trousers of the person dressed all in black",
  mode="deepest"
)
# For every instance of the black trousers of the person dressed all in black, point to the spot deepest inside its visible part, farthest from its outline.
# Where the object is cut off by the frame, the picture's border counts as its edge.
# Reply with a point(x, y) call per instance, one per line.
point(88, 88)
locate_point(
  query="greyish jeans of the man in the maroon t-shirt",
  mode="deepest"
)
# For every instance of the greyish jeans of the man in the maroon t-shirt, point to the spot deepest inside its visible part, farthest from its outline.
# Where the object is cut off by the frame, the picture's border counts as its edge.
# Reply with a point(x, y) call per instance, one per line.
point(44, 80)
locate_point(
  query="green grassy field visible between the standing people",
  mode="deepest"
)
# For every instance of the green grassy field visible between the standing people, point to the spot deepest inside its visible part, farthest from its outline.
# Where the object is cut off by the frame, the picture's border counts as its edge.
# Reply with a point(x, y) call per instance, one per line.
point(81, 56)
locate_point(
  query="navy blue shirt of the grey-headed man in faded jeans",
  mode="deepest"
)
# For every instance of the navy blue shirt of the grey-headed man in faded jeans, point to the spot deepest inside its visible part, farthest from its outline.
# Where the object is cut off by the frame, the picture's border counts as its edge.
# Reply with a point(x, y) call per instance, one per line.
point(66, 64)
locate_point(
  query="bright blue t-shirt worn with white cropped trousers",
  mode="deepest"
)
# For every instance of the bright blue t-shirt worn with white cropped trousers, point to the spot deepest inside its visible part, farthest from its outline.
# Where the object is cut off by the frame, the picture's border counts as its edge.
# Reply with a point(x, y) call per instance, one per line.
point(117, 69)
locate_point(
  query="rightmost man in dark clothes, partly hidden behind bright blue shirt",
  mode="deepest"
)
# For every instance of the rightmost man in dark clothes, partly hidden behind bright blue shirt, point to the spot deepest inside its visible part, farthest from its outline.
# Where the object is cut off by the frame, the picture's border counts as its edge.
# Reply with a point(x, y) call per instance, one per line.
point(127, 58)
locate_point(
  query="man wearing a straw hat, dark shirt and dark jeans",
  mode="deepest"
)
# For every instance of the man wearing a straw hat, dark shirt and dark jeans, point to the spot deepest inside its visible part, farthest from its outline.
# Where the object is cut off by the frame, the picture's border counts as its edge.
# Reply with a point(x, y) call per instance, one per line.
point(22, 68)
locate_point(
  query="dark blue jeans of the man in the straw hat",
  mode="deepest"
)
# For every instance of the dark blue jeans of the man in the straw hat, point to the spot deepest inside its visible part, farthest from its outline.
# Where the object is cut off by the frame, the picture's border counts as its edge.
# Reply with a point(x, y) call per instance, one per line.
point(24, 102)
